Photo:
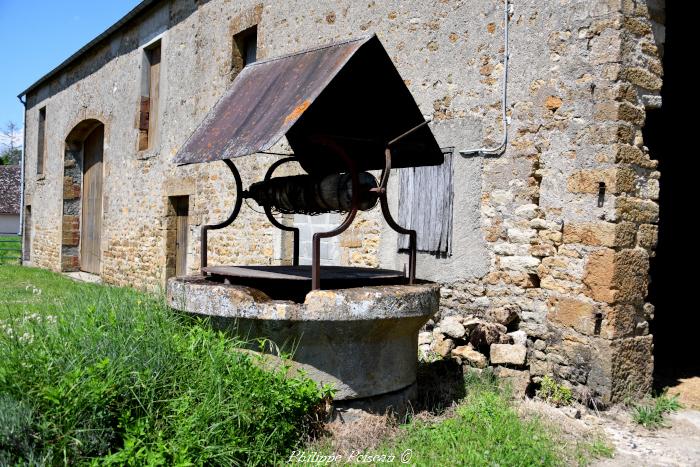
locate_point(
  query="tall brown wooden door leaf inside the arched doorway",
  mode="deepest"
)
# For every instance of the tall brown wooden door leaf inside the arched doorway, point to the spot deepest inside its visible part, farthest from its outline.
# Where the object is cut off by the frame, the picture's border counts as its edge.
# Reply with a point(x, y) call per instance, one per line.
point(91, 225)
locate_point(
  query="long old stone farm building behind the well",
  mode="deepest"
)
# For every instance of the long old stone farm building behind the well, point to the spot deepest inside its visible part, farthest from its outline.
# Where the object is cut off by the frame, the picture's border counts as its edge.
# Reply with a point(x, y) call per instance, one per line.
point(551, 236)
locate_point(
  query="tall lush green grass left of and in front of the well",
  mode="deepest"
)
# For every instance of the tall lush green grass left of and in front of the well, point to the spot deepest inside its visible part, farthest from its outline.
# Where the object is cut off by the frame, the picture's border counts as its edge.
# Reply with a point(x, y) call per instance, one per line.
point(96, 374)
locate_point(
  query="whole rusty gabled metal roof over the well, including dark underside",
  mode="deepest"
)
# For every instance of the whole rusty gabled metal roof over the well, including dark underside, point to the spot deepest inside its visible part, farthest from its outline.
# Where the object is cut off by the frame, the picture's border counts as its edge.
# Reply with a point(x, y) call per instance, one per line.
point(348, 92)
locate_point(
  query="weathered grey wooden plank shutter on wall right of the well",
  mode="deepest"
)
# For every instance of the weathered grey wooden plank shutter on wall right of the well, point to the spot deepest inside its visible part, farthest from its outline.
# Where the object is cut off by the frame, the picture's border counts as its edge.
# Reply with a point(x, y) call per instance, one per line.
point(425, 205)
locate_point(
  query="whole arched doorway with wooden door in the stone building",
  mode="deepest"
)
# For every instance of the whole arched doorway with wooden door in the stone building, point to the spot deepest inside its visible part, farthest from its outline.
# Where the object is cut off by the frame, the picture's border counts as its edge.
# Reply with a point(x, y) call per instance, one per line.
point(82, 198)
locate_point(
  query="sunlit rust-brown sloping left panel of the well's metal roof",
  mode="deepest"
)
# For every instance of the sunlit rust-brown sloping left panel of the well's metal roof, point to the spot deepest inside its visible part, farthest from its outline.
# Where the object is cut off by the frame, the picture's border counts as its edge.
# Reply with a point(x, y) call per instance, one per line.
point(264, 101)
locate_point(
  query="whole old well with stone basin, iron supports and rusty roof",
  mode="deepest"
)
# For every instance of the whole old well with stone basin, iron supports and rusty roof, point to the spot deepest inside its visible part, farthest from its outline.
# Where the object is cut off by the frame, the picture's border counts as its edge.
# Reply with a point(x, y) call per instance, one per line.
point(354, 328)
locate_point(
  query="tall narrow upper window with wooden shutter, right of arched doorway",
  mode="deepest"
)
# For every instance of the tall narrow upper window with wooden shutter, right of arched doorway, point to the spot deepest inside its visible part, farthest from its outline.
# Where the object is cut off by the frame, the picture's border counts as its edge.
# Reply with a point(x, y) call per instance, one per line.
point(150, 93)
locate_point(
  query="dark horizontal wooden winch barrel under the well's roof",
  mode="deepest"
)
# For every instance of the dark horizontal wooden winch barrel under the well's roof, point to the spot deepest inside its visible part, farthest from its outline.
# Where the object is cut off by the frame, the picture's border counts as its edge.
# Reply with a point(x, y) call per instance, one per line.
point(305, 194)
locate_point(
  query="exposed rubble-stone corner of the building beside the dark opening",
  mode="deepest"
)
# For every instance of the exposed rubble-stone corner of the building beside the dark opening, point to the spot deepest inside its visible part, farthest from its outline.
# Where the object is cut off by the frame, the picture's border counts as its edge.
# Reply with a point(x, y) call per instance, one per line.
point(570, 262)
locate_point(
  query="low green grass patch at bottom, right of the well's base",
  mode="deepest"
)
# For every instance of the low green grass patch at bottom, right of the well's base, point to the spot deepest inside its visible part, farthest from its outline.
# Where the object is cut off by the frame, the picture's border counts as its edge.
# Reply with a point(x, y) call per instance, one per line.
point(485, 428)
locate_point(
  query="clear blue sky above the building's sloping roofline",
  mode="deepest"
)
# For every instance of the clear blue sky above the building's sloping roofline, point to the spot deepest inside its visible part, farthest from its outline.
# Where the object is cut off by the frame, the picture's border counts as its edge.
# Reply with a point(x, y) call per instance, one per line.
point(36, 36)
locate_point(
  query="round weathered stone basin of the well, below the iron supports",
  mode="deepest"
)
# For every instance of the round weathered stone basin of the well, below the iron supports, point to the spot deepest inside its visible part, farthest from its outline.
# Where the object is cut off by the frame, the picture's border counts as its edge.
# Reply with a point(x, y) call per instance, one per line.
point(363, 340)
